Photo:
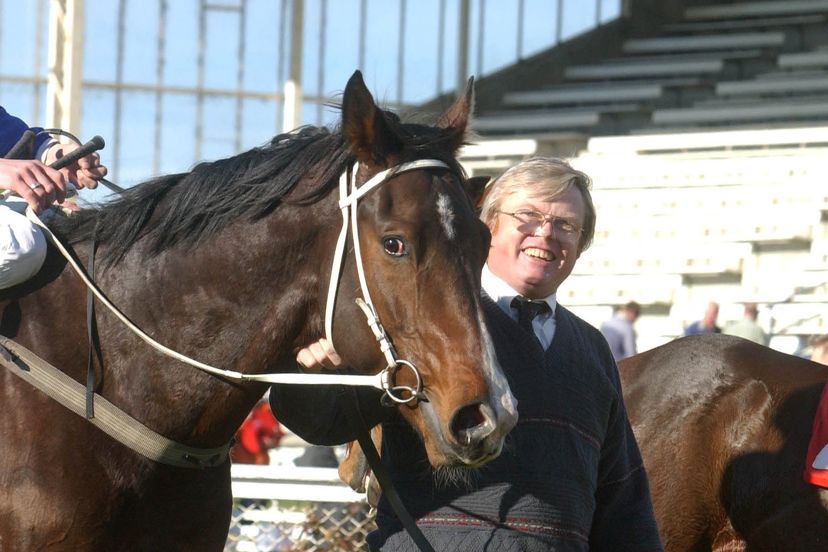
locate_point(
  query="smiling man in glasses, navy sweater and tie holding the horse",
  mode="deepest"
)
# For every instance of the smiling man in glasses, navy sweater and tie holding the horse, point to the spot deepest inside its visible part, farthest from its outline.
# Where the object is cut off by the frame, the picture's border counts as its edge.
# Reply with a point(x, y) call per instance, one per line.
point(570, 476)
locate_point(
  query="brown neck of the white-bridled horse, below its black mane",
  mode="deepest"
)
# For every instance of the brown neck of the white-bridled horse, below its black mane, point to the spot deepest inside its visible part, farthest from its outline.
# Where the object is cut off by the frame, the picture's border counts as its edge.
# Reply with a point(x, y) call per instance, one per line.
point(240, 302)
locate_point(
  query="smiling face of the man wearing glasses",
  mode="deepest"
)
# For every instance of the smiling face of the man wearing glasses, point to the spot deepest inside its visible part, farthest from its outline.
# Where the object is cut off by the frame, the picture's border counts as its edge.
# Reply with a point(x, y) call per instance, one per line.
point(535, 261)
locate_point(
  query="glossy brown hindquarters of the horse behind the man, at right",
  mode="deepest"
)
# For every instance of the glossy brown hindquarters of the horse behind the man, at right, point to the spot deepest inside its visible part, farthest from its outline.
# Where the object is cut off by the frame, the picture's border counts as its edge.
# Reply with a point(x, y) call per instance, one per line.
point(723, 425)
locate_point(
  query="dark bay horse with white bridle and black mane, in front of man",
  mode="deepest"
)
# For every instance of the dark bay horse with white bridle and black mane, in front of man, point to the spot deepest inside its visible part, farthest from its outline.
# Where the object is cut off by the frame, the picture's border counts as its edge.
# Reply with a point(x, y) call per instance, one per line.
point(229, 263)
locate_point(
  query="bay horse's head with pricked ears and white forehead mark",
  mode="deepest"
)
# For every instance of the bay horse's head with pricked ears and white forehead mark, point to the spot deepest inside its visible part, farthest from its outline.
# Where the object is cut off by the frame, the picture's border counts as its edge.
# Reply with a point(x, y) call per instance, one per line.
point(423, 249)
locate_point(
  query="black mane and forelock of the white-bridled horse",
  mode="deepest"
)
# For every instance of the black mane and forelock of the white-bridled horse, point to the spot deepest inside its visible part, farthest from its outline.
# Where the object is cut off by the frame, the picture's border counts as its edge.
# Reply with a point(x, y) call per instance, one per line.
point(187, 208)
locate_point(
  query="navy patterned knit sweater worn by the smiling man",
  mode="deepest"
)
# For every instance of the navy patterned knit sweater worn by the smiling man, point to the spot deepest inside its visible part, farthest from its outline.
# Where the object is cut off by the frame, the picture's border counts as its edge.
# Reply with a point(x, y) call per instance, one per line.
point(570, 477)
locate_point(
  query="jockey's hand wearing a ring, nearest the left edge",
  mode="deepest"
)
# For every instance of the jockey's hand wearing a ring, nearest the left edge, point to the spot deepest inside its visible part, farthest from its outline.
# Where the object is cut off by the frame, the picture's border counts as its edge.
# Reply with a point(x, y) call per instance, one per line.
point(39, 185)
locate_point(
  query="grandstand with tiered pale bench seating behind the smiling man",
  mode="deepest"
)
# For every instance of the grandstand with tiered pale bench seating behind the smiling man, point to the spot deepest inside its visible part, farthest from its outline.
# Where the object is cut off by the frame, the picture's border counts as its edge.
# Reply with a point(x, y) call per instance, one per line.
point(705, 128)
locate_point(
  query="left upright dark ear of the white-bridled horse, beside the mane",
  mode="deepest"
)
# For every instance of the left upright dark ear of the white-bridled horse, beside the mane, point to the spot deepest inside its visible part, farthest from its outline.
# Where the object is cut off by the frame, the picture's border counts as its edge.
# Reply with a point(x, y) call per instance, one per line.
point(364, 126)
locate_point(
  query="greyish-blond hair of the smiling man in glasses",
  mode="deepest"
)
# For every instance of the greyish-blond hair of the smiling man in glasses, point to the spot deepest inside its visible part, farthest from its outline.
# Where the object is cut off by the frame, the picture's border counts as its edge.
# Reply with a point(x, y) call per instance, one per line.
point(544, 178)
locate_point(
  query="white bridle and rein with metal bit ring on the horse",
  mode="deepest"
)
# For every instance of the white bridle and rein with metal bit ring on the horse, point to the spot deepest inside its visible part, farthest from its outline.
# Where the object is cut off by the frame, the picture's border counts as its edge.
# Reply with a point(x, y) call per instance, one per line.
point(350, 195)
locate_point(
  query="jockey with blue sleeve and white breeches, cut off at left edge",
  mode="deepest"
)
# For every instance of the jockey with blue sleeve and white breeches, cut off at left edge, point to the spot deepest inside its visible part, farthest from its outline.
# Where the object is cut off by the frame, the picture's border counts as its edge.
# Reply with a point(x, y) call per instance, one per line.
point(32, 183)
